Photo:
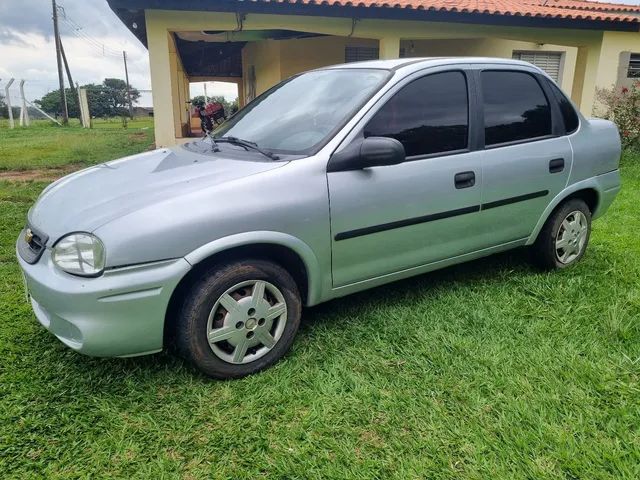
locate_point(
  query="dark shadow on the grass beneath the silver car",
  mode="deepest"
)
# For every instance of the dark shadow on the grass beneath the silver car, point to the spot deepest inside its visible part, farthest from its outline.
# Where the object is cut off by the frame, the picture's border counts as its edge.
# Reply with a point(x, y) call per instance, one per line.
point(169, 367)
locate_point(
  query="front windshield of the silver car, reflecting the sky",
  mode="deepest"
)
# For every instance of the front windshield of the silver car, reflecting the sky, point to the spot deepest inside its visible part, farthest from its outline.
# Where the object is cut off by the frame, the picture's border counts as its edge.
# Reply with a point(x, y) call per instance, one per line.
point(301, 113)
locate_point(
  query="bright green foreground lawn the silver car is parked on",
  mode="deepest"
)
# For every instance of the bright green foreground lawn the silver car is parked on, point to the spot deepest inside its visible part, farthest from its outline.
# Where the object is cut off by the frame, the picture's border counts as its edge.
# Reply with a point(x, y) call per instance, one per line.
point(482, 371)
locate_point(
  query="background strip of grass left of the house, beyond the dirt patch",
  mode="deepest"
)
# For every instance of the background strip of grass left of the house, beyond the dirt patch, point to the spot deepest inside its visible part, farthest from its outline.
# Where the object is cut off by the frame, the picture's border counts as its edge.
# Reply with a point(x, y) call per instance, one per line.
point(47, 145)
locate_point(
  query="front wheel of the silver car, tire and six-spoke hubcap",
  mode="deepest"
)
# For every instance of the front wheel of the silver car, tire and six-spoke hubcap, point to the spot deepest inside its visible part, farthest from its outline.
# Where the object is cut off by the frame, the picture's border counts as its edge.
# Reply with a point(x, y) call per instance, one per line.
point(250, 305)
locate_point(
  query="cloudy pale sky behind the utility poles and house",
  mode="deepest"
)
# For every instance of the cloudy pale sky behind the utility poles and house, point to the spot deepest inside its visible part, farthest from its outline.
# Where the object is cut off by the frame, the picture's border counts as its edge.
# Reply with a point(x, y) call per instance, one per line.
point(93, 39)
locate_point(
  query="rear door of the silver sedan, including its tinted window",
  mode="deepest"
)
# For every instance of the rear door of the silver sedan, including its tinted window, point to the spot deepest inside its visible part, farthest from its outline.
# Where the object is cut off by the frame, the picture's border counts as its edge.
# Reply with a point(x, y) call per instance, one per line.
point(527, 158)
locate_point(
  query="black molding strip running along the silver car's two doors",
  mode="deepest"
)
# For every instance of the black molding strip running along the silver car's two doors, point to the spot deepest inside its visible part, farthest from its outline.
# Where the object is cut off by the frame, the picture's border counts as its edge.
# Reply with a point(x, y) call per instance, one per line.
point(383, 227)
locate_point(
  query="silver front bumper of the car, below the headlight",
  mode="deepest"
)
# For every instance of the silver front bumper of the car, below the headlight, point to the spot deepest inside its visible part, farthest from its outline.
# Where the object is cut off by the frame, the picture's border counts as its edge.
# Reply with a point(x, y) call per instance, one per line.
point(118, 314)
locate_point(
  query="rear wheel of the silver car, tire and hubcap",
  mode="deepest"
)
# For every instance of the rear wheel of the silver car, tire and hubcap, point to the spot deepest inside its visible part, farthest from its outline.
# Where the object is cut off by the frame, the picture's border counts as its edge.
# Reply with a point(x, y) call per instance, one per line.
point(564, 236)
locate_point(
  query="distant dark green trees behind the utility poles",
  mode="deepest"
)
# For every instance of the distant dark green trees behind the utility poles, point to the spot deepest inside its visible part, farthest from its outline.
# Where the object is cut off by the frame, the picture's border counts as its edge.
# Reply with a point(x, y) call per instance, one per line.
point(106, 100)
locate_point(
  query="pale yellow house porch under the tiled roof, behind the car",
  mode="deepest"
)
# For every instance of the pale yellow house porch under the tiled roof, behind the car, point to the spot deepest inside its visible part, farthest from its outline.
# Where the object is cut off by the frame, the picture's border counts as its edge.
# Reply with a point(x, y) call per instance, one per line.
point(257, 50)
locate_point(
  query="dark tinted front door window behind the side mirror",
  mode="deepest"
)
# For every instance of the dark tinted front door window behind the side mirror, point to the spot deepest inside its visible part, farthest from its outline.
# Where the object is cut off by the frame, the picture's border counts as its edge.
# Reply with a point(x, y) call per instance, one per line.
point(430, 115)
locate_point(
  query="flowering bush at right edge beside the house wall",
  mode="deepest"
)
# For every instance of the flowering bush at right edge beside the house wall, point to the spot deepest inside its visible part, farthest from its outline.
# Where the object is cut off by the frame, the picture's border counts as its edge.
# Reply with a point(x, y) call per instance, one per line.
point(622, 106)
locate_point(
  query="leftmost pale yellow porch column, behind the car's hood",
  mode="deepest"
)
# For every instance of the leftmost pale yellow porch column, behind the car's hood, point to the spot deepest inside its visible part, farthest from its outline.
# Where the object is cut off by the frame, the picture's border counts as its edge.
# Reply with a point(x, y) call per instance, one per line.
point(162, 84)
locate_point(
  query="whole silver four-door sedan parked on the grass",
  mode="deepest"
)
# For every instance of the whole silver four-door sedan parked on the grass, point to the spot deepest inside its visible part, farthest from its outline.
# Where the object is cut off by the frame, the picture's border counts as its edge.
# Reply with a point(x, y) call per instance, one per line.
point(332, 182)
